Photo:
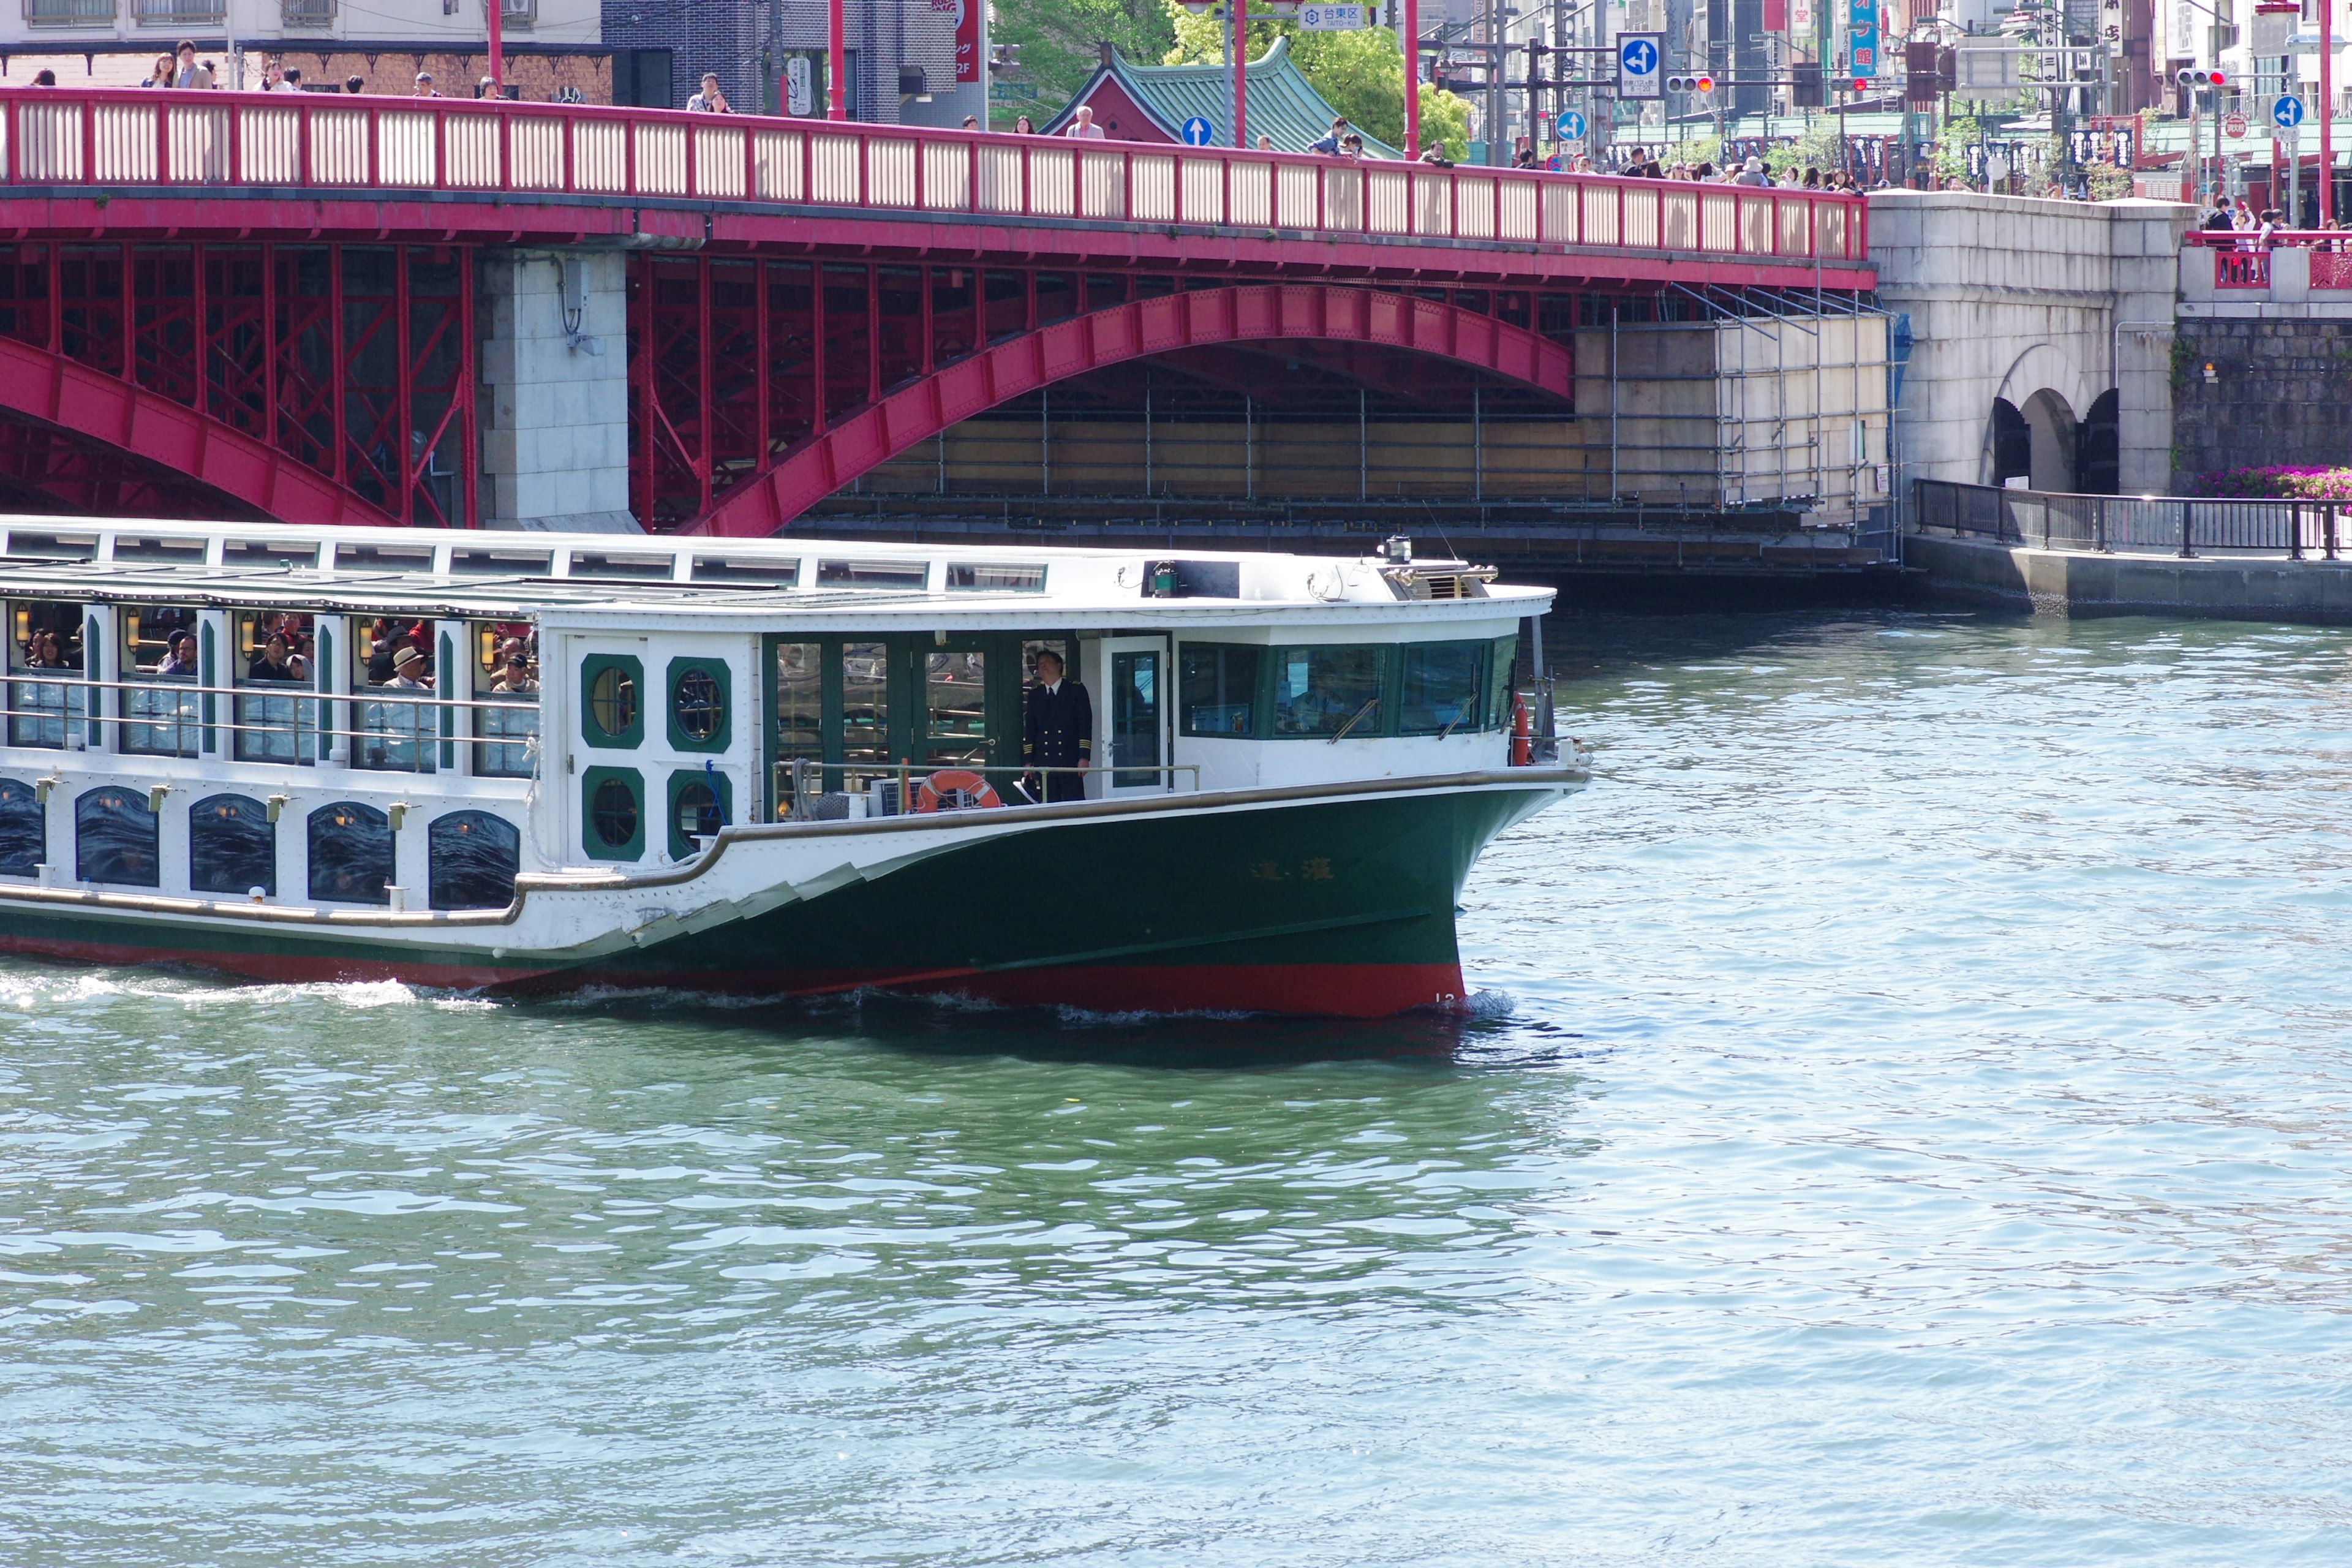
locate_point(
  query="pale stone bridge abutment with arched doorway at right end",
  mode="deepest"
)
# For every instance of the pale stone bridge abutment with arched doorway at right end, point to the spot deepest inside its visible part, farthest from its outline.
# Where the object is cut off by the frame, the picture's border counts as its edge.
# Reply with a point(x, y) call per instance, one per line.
point(2043, 337)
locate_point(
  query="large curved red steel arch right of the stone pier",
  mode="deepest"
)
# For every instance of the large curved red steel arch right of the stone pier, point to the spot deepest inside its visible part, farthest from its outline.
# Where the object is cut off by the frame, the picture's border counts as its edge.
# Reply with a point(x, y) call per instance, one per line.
point(1104, 337)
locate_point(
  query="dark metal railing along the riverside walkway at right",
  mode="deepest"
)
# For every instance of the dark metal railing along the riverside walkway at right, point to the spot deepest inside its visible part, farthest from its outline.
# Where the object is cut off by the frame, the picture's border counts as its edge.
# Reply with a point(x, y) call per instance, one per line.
point(2177, 525)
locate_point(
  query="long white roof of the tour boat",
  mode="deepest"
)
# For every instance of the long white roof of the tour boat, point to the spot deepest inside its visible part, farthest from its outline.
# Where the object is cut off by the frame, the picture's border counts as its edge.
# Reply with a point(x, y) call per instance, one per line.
point(502, 575)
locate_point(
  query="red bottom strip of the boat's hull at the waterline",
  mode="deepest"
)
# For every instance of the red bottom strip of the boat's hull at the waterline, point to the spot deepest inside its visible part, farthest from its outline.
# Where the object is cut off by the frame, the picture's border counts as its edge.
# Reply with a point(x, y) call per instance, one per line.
point(1323, 991)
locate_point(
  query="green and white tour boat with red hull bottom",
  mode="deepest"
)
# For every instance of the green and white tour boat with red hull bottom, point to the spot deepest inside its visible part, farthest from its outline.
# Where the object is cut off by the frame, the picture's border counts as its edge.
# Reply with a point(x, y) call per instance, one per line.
point(519, 763)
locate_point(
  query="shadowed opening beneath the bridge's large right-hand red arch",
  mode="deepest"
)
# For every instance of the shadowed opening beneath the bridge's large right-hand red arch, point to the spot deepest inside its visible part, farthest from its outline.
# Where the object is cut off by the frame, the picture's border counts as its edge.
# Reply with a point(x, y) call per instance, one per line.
point(1252, 427)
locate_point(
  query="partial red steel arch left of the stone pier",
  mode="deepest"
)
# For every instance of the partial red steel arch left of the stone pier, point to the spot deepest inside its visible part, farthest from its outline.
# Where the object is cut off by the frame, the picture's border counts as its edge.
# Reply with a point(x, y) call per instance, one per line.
point(147, 424)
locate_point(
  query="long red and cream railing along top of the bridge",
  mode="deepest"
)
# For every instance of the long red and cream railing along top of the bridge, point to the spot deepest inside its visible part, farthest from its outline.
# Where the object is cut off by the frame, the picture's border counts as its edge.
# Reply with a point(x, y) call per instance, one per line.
point(161, 138)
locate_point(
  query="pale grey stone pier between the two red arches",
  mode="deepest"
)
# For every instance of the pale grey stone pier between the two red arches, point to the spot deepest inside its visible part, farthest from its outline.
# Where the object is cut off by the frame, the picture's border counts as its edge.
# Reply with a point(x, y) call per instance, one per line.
point(554, 366)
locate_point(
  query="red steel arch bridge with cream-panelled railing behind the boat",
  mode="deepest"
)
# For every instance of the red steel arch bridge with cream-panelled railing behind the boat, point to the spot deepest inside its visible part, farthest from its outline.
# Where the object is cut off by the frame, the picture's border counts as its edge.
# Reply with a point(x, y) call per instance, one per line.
point(283, 307)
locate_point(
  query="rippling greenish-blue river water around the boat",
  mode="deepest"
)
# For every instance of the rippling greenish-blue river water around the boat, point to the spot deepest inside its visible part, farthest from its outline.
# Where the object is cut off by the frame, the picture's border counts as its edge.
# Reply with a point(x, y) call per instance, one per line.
point(1911, 1130)
